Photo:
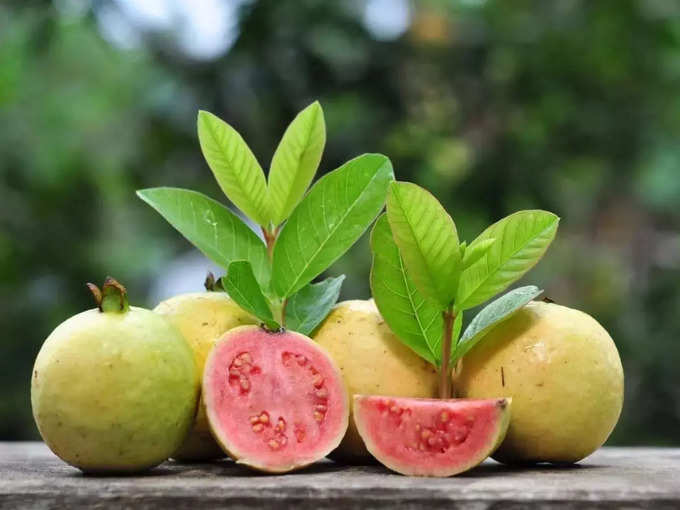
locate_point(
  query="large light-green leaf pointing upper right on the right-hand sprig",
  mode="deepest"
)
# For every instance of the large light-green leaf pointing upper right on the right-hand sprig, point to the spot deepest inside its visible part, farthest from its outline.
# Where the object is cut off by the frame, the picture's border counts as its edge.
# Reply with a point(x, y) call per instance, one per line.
point(521, 240)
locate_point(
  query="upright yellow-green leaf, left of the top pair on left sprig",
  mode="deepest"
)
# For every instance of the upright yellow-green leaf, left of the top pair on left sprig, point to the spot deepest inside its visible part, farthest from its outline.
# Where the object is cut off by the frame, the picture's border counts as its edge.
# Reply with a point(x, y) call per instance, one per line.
point(232, 162)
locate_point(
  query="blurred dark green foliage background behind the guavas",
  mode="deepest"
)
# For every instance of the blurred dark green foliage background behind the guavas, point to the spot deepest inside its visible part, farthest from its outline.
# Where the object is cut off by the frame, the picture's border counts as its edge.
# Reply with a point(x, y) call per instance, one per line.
point(570, 105)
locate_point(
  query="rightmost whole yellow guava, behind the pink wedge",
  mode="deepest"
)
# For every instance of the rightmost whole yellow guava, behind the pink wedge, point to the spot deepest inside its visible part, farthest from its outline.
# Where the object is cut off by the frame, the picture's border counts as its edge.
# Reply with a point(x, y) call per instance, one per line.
point(564, 374)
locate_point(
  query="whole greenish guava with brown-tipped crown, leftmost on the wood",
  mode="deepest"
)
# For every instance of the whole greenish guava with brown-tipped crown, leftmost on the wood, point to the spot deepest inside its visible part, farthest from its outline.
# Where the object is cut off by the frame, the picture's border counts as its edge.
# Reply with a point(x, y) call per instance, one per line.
point(114, 389)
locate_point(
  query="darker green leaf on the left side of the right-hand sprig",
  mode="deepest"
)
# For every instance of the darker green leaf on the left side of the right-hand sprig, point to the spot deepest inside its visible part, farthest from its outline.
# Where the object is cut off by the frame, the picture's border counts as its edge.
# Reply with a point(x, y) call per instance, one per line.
point(416, 321)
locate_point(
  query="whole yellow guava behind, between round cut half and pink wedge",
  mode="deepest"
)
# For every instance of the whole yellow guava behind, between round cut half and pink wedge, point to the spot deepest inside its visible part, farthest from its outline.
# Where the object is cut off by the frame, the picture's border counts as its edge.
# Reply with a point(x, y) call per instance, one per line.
point(372, 361)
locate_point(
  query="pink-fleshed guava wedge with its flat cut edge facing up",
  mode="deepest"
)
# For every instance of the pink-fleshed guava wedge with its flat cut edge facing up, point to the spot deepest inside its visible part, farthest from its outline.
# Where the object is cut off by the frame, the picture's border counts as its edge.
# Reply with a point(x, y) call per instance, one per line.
point(430, 437)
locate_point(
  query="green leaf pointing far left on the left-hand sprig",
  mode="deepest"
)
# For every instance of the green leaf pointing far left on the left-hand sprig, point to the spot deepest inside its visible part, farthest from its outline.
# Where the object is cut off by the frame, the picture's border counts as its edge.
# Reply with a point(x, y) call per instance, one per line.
point(211, 227)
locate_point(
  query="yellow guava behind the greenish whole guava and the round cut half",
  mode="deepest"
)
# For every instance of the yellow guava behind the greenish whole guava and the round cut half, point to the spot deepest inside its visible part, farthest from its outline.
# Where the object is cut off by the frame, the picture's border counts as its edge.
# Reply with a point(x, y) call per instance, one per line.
point(202, 317)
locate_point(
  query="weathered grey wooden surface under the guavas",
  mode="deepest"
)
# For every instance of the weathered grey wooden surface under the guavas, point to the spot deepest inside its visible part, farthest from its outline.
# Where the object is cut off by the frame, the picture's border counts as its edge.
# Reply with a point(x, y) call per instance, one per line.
point(31, 477)
